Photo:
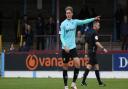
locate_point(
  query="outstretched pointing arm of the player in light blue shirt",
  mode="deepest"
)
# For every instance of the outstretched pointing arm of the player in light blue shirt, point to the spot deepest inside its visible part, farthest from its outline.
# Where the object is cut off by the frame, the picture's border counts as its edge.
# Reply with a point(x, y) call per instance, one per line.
point(86, 21)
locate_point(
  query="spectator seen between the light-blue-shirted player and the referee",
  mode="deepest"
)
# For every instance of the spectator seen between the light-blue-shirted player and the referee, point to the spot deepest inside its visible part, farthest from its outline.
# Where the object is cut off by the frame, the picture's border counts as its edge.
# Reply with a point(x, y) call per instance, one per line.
point(79, 41)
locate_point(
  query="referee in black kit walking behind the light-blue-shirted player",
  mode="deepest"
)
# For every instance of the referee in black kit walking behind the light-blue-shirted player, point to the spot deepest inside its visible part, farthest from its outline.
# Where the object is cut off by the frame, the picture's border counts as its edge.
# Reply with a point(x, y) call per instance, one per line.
point(91, 37)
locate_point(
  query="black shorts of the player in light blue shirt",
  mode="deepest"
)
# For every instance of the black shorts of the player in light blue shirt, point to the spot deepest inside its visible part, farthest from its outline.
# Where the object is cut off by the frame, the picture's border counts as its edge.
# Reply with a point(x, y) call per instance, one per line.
point(69, 56)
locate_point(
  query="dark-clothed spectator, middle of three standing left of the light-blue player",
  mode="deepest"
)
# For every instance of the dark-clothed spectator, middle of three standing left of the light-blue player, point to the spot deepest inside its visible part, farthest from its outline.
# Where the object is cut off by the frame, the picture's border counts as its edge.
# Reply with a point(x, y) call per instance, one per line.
point(40, 32)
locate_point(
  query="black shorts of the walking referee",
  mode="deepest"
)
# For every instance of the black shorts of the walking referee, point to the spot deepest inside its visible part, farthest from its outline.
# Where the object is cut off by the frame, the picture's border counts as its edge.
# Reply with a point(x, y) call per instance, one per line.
point(92, 58)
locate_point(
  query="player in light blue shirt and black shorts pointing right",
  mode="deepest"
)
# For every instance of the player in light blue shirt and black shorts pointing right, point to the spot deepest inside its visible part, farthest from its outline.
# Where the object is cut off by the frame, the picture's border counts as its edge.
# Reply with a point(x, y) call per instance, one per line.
point(67, 36)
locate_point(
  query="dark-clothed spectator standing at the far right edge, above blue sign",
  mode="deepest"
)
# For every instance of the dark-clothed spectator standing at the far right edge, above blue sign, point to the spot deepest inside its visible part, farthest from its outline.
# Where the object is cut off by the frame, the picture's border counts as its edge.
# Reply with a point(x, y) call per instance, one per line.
point(124, 32)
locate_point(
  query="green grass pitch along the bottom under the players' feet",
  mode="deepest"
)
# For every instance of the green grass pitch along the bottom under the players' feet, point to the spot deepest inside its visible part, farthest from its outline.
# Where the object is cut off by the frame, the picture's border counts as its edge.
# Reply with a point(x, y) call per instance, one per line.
point(54, 83)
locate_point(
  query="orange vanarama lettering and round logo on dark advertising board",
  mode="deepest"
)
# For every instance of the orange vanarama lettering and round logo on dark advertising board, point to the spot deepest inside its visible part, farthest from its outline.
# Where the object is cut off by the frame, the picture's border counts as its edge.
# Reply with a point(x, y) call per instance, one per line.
point(33, 62)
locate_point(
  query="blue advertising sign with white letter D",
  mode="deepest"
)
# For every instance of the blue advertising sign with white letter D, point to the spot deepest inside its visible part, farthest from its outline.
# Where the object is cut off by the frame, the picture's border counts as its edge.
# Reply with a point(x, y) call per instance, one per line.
point(120, 62)
